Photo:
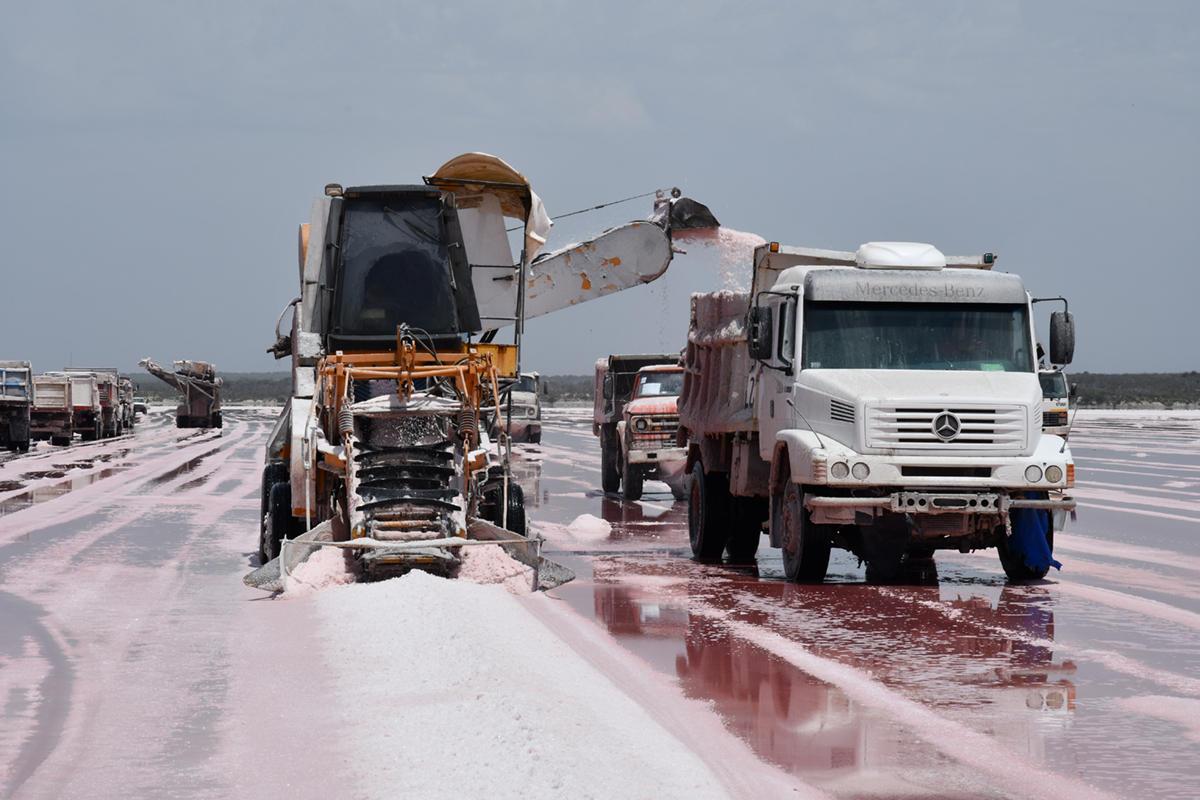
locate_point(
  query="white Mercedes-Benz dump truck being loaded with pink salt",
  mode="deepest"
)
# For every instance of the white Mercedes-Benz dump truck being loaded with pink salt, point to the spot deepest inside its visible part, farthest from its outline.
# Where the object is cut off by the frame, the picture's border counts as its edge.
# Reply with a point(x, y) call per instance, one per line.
point(884, 401)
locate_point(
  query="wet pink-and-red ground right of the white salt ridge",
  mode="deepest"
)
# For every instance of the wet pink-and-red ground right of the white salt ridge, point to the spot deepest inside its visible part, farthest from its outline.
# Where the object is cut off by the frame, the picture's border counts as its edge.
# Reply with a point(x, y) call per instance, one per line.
point(951, 684)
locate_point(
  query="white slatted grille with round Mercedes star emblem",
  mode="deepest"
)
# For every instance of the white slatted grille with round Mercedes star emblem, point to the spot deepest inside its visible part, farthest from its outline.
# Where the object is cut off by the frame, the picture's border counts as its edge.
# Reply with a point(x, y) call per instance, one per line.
point(911, 428)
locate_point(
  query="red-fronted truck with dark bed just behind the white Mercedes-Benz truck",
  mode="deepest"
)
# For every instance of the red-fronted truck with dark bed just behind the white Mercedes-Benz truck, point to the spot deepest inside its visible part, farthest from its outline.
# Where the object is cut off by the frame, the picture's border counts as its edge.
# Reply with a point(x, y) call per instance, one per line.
point(635, 417)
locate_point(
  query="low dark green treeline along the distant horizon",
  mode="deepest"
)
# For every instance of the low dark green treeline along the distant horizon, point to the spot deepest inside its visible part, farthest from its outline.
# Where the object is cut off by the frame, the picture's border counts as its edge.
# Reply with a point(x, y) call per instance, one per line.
point(1095, 390)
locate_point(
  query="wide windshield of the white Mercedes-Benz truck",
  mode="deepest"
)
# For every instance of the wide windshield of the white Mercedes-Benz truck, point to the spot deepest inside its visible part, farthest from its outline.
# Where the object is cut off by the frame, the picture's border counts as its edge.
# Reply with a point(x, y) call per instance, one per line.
point(916, 336)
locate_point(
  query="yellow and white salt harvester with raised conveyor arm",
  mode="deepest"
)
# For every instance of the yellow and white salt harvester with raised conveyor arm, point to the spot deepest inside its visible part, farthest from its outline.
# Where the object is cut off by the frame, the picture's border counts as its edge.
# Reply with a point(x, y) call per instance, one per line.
point(383, 447)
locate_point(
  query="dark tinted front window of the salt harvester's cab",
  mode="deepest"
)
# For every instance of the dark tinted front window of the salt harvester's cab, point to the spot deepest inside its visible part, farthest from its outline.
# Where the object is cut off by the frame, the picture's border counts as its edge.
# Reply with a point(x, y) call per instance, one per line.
point(394, 268)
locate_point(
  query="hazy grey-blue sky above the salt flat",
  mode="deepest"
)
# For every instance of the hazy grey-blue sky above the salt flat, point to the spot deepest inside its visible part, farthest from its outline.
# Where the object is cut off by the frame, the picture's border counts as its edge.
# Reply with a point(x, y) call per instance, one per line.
point(158, 158)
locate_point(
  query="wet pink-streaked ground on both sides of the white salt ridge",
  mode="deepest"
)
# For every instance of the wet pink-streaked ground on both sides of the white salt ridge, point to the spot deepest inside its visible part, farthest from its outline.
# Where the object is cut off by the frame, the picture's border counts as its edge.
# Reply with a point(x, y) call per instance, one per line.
point(131, 654)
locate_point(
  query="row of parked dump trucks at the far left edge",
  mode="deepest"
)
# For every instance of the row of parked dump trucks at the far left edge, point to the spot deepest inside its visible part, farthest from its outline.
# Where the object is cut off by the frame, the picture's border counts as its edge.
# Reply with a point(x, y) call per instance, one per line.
point(94, 402)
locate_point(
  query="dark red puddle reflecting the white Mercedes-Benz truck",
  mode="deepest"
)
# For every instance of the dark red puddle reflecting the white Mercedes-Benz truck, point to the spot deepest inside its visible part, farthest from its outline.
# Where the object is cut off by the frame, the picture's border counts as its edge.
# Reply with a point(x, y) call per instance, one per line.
point(991, 666)
